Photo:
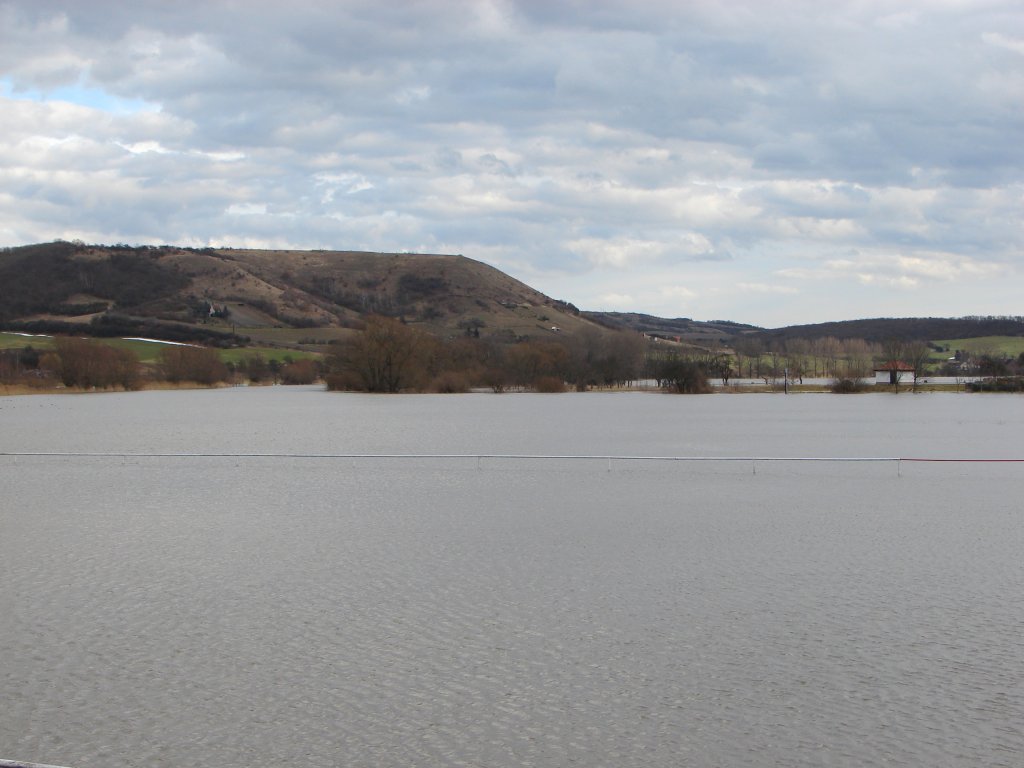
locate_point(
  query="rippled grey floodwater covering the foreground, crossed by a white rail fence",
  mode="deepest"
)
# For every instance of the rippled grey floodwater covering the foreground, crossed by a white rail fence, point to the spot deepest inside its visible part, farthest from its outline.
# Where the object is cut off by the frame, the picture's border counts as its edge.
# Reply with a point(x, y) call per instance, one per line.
point(229, 611)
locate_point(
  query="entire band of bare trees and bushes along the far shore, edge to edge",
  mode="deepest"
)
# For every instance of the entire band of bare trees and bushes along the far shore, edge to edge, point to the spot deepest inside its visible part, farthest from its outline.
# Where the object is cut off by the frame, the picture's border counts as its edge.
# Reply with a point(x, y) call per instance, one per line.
point(389, 356)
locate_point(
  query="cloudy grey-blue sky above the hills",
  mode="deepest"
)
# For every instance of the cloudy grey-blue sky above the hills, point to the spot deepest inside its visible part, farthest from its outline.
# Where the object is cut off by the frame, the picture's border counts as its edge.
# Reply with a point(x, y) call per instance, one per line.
point(764, 162)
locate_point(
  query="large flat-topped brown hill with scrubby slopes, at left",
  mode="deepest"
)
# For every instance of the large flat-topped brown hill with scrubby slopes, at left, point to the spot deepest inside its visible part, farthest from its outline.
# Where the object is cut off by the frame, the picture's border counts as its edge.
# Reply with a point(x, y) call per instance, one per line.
point(272, 296)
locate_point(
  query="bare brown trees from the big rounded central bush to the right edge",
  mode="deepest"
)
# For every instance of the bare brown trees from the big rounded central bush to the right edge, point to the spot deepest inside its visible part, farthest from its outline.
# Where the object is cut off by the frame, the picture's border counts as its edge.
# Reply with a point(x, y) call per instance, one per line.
point(392, 357)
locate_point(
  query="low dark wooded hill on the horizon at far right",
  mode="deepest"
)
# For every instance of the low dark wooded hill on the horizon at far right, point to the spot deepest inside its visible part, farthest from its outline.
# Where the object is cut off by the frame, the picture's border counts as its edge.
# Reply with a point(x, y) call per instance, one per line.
point(923, 329)
